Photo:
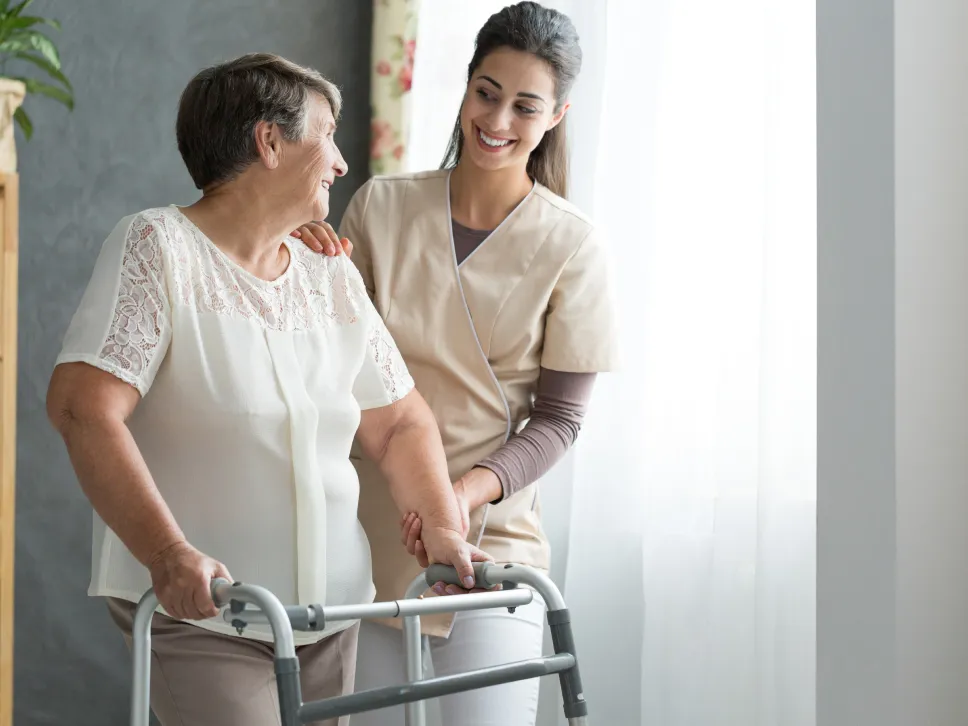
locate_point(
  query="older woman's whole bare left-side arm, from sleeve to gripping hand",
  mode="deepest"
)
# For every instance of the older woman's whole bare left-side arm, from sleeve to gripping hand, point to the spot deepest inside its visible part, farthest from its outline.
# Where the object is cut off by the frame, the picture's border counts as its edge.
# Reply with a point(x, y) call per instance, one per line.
point(89, 408)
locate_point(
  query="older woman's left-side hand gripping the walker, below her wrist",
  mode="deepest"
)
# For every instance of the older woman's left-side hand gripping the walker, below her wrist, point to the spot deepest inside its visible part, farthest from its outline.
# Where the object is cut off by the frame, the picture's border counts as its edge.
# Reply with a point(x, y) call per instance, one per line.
point(182, 577)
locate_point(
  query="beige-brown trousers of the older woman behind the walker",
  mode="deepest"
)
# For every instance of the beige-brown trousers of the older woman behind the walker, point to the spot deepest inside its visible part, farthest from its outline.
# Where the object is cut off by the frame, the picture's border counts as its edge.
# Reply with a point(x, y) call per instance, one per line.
point(201, 678)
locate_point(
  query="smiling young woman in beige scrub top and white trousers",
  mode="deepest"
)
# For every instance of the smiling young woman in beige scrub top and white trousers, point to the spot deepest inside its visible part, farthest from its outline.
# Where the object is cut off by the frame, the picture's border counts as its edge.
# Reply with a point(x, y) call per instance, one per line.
point(495, 290)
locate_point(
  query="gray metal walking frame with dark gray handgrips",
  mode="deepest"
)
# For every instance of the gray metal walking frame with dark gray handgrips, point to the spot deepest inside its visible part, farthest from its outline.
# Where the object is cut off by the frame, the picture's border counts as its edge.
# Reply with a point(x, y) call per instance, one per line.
point(284, 620)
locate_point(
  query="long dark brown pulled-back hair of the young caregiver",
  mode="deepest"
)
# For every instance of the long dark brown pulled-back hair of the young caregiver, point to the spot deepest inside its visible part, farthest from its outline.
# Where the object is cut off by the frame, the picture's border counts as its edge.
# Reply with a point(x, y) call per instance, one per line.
point(551, 36)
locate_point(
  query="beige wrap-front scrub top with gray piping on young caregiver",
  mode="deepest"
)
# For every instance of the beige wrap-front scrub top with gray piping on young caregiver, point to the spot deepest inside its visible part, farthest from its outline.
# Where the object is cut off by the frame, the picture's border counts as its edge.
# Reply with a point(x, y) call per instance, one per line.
point(534, 294)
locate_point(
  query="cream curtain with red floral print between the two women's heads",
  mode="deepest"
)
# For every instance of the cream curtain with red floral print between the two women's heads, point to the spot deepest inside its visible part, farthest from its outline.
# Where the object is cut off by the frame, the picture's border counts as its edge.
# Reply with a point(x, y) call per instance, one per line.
point(391, 76)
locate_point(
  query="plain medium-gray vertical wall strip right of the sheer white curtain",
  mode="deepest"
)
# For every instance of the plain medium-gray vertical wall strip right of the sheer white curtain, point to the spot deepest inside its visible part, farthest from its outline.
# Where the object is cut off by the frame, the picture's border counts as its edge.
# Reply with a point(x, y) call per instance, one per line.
point(855, 341)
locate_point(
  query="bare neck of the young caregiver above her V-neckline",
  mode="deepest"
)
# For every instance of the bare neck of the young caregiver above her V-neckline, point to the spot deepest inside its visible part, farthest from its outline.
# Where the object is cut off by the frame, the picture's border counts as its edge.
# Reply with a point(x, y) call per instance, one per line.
point(482, 199)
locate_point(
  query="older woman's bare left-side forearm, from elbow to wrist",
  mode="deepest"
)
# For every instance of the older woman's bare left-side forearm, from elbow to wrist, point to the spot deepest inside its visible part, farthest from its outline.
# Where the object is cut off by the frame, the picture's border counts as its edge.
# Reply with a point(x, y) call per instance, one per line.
point(115, 479)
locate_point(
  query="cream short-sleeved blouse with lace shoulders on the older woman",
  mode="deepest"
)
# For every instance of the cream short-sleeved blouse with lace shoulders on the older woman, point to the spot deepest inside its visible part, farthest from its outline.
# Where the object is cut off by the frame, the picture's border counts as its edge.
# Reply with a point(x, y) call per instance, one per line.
point(252, 392)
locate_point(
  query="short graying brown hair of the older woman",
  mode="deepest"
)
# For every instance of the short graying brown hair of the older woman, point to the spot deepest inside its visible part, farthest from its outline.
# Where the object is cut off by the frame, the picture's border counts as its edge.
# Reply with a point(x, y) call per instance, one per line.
point(221, 105)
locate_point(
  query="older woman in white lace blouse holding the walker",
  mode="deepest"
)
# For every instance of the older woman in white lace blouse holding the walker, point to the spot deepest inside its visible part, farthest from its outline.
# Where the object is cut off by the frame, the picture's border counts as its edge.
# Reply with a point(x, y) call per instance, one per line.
point(210, 386)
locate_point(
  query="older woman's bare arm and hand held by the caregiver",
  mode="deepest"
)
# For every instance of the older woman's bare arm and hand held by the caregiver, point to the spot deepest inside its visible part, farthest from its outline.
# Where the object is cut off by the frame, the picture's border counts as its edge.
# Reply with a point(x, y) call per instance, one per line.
point(404, 441)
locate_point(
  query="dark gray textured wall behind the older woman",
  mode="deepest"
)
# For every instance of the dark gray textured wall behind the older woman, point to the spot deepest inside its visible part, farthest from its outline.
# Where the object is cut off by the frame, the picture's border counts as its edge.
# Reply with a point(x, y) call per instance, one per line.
point(128, 60)
